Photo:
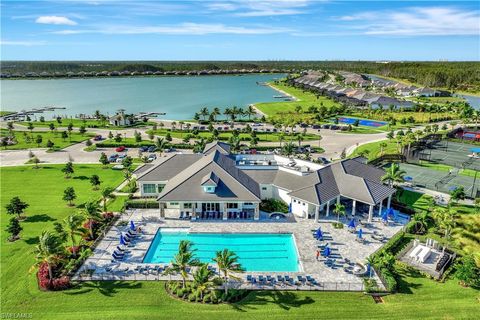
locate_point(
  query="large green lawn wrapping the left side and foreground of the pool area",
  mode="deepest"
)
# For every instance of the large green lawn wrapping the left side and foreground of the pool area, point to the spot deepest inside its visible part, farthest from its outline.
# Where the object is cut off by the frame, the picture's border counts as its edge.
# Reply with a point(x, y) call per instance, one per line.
point(419, 298)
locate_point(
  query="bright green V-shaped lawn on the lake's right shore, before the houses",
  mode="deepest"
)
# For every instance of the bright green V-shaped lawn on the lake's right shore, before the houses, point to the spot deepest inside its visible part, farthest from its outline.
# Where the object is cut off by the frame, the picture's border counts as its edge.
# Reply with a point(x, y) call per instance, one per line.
point(305, 100)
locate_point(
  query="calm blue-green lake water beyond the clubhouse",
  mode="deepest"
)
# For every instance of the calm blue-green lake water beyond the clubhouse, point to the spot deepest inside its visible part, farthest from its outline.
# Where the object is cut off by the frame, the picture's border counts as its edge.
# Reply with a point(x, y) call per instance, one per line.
point(178, 97)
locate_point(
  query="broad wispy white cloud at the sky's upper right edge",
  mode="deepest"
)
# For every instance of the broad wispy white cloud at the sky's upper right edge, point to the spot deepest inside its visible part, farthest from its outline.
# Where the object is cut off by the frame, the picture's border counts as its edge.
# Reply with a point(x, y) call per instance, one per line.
point(416, 21)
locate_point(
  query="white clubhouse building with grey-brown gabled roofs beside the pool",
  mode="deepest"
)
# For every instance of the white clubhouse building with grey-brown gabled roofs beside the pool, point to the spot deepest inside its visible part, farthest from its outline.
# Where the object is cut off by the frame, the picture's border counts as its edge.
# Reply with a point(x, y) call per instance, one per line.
point(218, 184)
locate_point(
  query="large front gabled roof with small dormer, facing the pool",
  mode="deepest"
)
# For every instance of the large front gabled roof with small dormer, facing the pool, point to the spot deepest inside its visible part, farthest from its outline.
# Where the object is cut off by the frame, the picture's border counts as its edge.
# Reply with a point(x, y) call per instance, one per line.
point(233, 183)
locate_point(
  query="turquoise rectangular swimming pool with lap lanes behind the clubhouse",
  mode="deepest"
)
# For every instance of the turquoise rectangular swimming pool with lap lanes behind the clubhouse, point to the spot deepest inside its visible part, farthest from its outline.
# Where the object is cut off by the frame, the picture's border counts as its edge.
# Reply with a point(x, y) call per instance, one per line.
point(256, 251)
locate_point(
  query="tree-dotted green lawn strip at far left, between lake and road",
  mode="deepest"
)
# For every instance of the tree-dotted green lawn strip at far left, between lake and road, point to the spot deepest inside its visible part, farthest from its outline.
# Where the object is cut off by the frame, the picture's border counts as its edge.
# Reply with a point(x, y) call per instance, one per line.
point(56, 138)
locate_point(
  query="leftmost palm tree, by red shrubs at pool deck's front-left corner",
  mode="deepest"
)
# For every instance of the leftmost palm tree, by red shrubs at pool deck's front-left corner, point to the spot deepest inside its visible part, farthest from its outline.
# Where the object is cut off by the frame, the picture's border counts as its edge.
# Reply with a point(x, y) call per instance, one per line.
point(49, 250)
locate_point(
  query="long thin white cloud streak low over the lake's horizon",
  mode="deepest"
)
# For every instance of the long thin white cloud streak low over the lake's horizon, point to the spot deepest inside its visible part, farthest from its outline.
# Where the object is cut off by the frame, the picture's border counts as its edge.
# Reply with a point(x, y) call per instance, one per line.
point(180, 29)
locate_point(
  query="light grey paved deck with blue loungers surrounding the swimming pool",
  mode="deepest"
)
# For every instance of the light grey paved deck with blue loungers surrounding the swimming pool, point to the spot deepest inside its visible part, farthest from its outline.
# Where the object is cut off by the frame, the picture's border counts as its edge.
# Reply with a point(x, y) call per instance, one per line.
point(341, 241)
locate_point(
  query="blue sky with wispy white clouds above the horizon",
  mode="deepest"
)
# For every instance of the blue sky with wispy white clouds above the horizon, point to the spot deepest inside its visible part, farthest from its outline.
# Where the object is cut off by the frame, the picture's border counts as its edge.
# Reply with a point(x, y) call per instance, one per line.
point(240, 30)
